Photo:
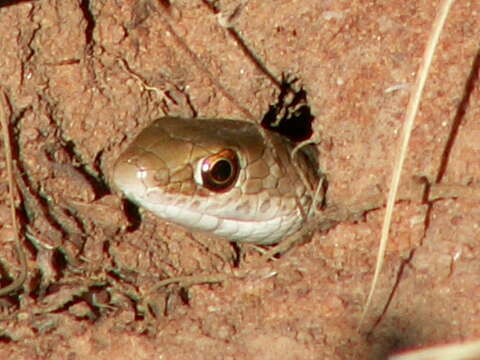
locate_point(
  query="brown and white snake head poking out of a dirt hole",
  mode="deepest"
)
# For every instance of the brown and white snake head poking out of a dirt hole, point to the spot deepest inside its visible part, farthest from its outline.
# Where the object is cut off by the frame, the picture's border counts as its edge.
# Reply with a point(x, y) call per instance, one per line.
point(230, 178)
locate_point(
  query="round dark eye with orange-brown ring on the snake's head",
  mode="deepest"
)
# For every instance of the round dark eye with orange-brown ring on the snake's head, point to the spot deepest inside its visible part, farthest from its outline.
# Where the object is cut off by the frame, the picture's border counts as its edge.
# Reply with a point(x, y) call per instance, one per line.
point(220, 171)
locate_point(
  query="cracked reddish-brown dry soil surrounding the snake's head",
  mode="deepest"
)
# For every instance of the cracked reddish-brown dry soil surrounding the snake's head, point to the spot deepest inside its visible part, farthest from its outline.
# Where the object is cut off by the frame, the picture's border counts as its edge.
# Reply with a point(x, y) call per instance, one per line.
point(83, 77)
